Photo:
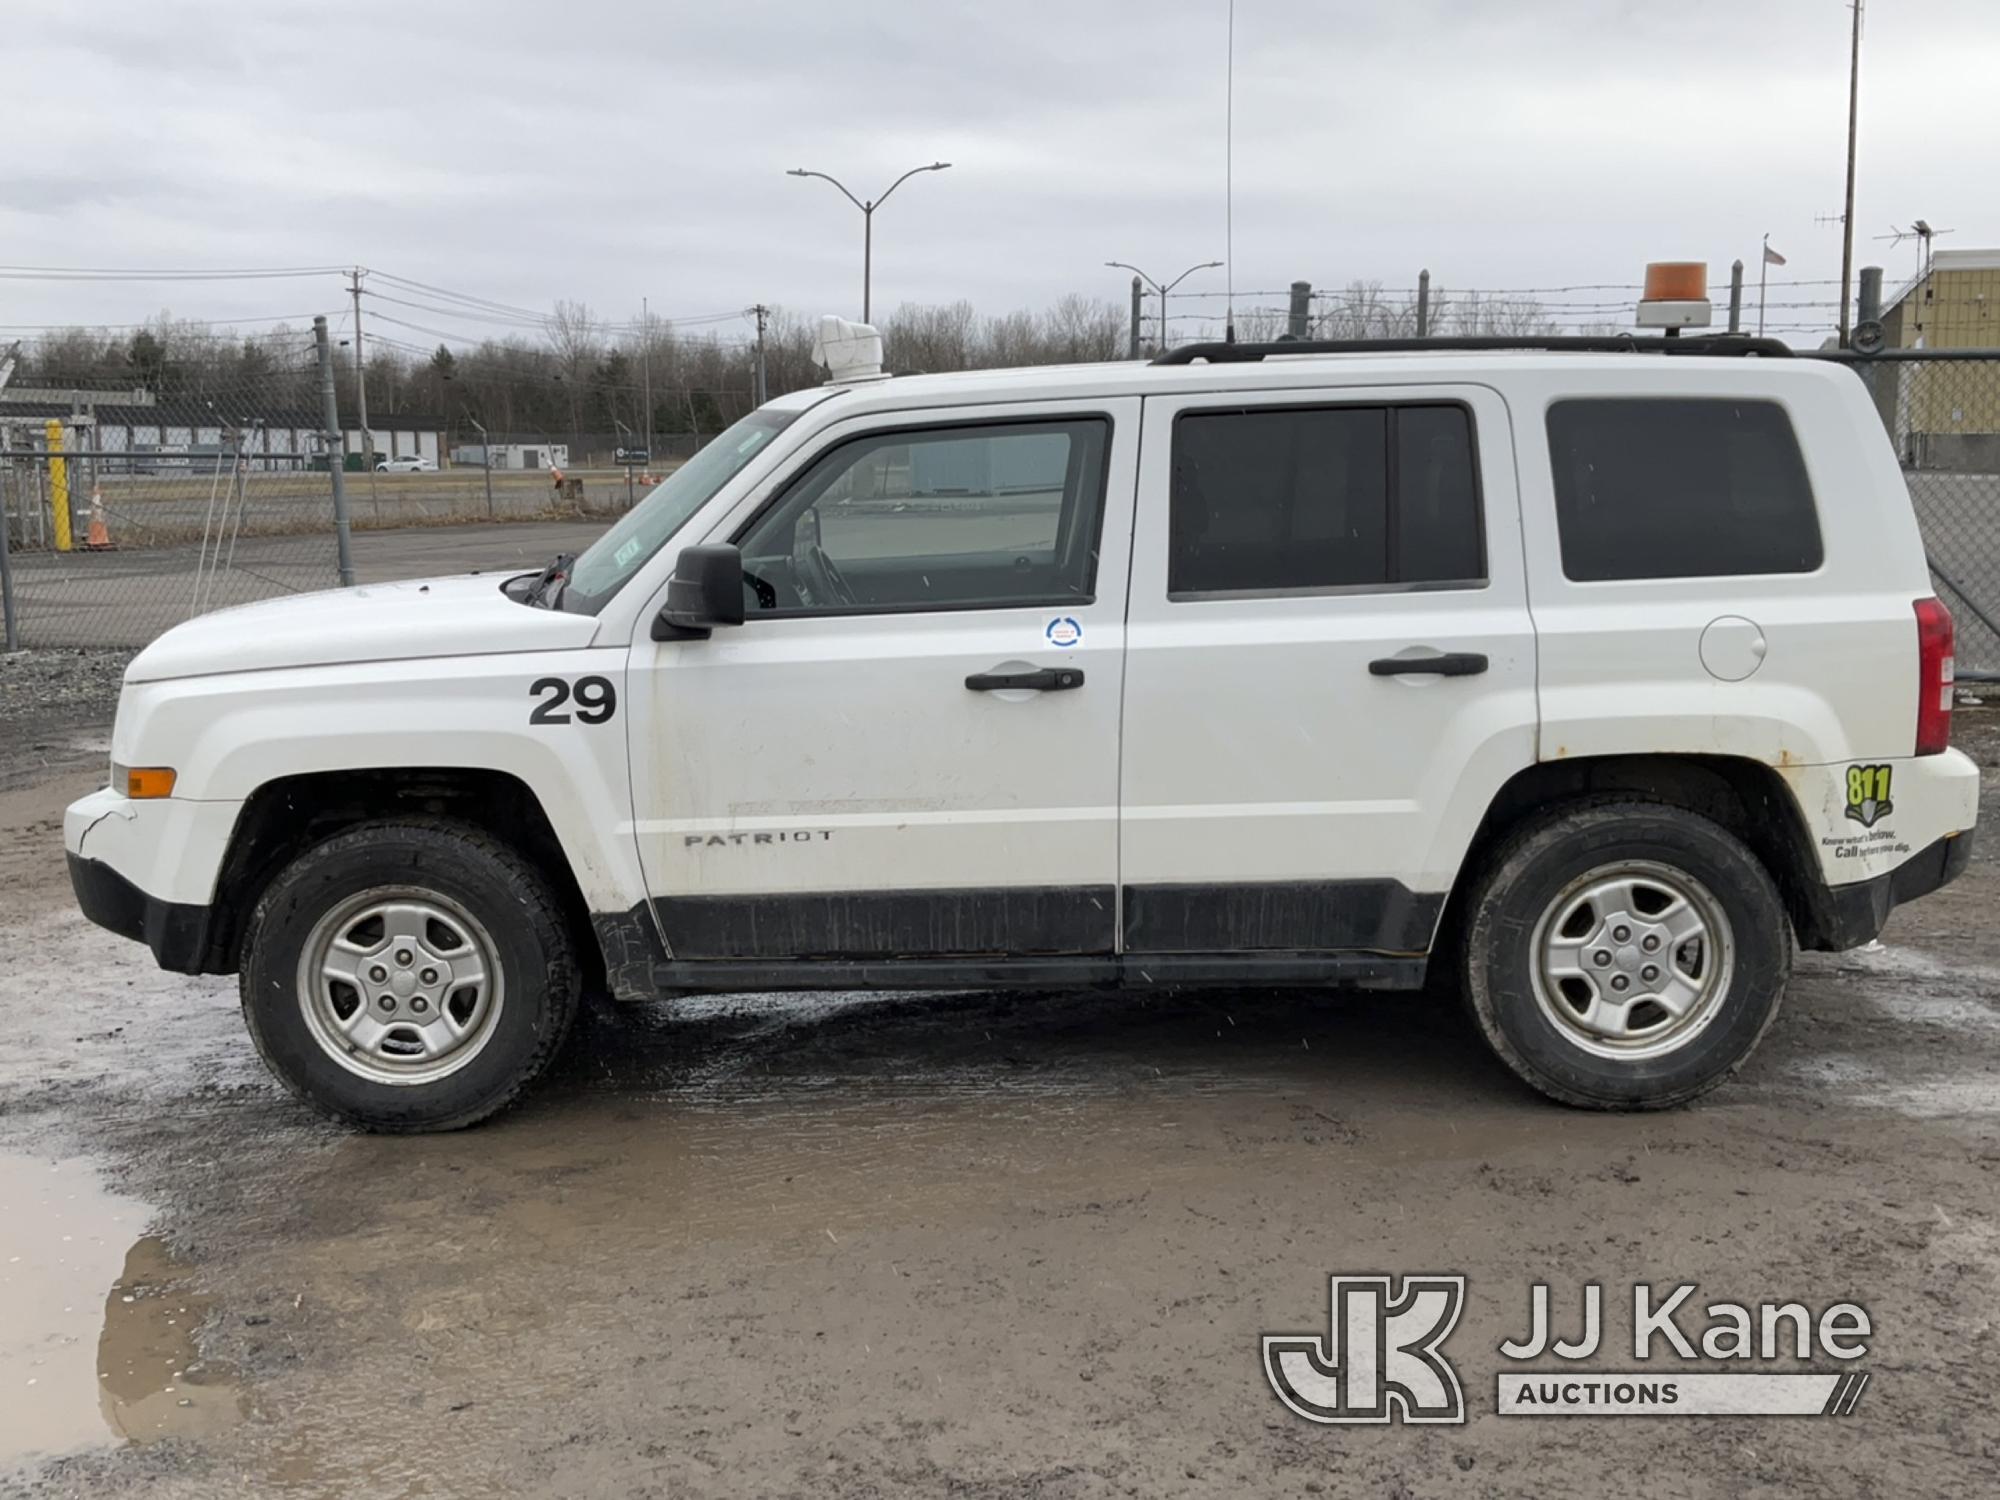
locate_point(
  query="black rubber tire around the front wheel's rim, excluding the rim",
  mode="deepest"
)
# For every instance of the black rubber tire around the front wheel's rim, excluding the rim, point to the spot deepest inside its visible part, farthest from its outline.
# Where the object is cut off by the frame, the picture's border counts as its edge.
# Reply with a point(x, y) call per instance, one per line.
point(481, 875)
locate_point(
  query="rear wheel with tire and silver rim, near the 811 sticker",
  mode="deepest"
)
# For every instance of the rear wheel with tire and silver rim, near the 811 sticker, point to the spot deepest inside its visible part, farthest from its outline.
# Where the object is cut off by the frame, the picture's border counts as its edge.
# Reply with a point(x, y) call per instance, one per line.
point(1625, 955)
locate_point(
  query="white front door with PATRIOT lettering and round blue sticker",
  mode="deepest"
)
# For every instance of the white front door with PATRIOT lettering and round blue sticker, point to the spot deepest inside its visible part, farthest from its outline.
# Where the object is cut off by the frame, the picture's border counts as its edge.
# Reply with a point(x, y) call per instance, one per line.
point(911, 747)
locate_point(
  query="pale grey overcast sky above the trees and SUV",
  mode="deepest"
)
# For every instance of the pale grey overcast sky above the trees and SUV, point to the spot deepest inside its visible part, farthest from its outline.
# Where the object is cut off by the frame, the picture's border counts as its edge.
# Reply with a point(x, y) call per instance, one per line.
point(619, 149)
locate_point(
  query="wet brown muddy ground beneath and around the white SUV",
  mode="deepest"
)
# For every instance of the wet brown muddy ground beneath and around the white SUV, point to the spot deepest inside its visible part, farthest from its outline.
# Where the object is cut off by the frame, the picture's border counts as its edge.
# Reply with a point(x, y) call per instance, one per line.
point(953, 1245)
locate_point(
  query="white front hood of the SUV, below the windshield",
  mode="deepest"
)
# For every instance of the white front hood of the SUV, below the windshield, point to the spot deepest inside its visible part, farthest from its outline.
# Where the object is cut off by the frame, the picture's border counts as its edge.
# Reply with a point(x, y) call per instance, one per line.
point(381, 623)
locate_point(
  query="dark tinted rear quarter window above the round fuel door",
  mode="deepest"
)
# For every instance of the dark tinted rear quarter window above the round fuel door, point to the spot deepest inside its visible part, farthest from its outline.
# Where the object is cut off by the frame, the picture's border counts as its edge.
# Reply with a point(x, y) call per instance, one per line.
point(1681, 489)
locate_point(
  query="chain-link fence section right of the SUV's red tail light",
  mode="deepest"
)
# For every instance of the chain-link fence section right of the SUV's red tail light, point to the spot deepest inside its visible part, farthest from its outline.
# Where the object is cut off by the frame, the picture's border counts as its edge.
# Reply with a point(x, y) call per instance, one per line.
point(1943, 415)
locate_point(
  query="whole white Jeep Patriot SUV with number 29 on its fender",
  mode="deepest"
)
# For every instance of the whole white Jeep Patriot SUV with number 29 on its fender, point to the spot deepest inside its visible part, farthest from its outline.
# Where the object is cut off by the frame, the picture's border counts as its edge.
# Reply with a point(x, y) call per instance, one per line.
point(1595, 675)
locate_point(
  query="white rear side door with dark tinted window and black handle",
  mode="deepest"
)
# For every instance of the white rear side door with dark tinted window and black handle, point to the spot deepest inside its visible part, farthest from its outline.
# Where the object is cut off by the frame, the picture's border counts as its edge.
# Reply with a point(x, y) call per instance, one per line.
point(1329, 665)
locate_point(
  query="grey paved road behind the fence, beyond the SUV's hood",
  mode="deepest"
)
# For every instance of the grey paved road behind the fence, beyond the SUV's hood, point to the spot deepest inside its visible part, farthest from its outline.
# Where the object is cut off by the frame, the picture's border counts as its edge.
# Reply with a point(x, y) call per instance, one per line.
point(127, 599)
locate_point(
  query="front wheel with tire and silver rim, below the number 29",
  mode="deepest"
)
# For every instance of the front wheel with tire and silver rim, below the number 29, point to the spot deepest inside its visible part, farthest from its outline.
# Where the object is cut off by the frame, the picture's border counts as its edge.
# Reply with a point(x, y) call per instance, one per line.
point(409, 977)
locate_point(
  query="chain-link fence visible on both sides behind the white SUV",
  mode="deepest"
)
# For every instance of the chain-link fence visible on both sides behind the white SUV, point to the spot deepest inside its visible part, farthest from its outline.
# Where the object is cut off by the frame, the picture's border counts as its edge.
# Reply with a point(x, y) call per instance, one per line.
point(127, 513)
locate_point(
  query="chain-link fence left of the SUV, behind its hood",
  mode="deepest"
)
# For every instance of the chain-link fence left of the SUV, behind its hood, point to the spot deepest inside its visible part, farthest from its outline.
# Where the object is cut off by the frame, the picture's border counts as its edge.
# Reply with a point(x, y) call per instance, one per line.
point(127, 513)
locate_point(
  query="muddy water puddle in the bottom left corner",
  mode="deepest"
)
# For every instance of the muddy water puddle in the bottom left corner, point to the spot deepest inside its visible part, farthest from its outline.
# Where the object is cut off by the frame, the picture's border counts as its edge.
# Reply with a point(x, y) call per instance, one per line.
point(79, 1365)
